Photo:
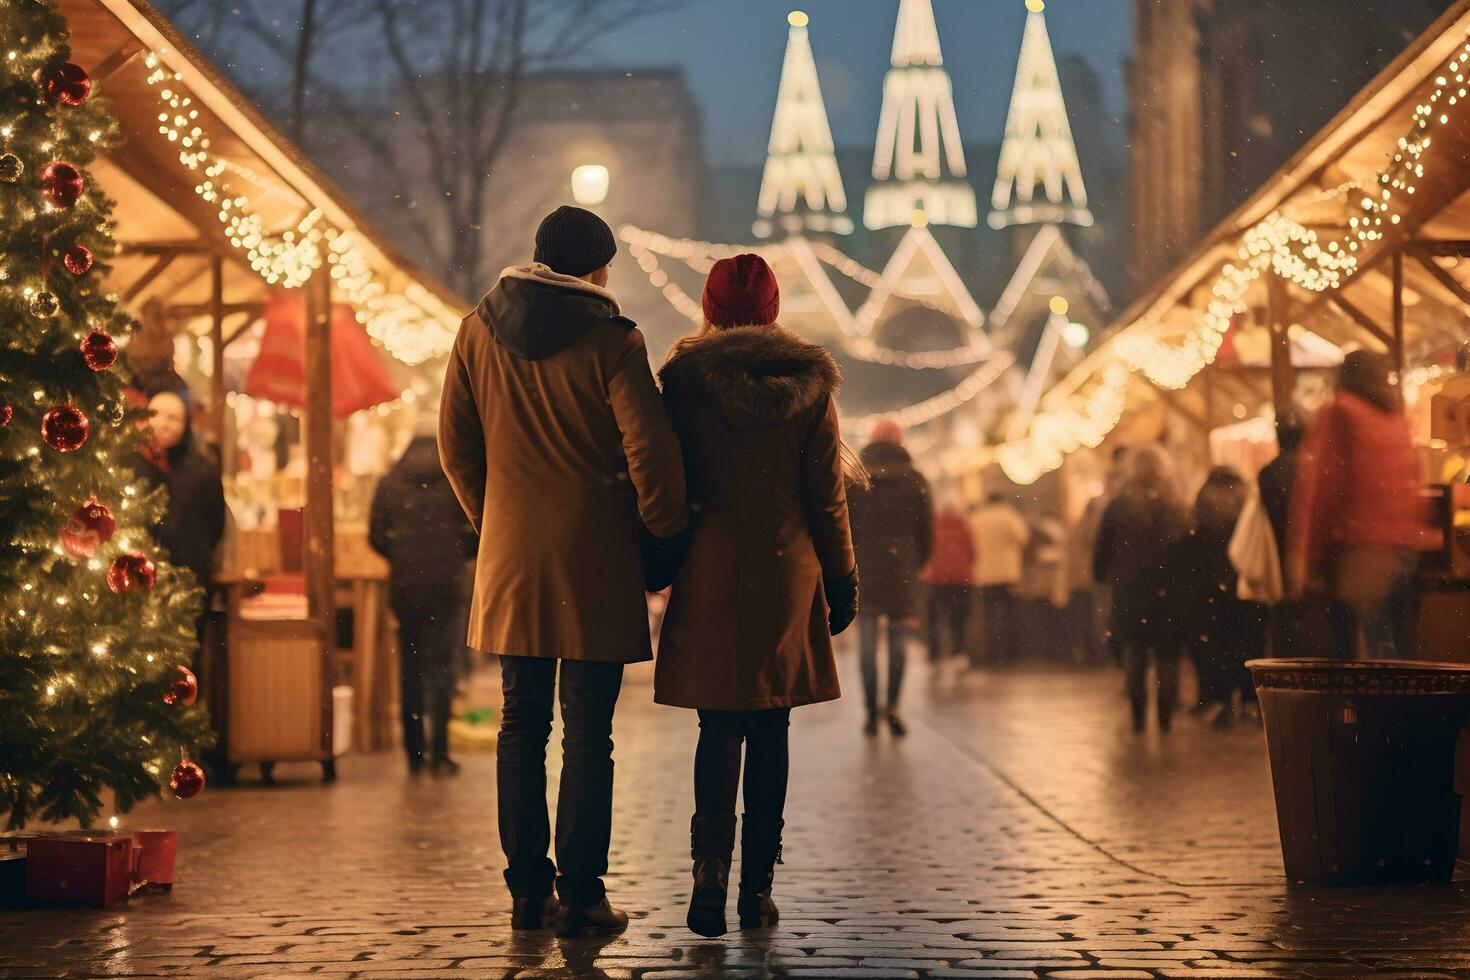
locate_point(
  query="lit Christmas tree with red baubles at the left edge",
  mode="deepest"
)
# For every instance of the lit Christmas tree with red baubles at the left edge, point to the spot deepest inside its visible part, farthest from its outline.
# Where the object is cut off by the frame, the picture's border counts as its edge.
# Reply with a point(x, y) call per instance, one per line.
point(95, 628)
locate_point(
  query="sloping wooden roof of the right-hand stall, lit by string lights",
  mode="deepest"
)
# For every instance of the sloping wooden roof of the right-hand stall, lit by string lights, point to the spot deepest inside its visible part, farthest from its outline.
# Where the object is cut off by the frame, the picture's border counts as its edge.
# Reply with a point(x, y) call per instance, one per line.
point(1321, 190)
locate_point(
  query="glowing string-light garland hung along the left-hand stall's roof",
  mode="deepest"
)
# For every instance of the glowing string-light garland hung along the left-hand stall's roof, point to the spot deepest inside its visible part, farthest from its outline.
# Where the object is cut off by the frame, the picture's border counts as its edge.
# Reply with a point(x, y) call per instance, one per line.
point(404, 324)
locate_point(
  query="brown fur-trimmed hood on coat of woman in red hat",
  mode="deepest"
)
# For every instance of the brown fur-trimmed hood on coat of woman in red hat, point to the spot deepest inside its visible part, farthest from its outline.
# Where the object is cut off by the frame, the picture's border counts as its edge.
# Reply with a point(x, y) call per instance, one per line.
point(758, 375)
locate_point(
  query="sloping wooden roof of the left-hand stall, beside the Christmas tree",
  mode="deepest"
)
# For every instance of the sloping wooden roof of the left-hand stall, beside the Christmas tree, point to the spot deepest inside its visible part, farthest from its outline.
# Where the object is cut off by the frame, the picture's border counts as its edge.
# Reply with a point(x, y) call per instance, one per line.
point(171, 234)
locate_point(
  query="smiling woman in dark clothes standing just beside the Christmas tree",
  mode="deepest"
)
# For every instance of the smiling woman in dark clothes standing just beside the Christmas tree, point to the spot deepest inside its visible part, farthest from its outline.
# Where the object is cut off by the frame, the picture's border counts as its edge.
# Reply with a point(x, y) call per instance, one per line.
point(195, 521)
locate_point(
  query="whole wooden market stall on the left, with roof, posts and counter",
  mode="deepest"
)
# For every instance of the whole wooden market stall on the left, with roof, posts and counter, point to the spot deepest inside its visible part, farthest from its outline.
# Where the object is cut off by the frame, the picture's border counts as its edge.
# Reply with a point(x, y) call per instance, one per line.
point(218, 218)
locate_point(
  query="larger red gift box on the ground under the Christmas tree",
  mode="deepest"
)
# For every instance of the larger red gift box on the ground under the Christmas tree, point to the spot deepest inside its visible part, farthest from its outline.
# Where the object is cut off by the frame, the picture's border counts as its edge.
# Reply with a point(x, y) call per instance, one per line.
point(92, 869)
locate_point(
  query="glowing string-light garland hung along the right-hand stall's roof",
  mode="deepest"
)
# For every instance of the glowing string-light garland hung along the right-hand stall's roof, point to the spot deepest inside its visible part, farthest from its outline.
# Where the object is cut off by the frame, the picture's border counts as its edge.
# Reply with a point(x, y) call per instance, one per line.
point(1278, 245)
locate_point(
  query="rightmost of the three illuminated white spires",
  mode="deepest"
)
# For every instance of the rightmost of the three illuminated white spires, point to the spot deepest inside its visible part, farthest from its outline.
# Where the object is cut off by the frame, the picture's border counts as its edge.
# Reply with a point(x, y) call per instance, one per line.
point(1040, 180)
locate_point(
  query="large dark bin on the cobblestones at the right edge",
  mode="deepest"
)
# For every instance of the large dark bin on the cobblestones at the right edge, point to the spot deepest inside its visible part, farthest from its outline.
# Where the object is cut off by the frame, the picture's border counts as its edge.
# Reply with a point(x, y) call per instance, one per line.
point(1363, 759)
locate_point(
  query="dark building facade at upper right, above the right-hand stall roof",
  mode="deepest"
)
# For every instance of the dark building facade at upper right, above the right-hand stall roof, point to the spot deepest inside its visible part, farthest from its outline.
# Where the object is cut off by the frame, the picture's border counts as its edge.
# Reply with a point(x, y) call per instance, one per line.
point(1225, 92)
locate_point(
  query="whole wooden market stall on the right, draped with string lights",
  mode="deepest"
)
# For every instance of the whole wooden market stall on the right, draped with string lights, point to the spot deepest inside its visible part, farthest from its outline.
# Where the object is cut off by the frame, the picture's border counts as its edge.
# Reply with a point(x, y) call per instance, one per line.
point(1360, 240)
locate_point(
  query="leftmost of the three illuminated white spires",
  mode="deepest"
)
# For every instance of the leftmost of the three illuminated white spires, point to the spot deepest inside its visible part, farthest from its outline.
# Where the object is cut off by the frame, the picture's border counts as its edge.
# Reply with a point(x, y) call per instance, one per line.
point(802, 189)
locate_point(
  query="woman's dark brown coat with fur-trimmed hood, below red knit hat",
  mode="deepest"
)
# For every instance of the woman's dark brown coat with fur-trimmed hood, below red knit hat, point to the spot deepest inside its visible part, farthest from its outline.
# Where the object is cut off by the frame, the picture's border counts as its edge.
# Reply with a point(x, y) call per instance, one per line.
point(747, 624)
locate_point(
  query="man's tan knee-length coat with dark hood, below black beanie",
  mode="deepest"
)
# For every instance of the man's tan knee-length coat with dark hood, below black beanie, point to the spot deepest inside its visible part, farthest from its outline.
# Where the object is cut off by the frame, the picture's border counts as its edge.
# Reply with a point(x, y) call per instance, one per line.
point(555, 440)
